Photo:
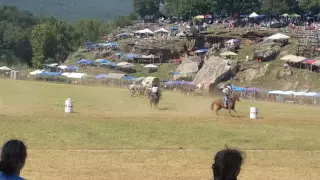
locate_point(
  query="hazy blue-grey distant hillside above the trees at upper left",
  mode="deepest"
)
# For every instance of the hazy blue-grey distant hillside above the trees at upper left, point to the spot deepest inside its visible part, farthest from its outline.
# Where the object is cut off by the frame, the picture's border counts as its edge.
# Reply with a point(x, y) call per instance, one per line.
point(74, 9)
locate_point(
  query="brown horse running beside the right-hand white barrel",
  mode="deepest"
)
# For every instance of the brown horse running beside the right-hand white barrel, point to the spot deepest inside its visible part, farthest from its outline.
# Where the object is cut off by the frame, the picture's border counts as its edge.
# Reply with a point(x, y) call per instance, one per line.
point(217, 105)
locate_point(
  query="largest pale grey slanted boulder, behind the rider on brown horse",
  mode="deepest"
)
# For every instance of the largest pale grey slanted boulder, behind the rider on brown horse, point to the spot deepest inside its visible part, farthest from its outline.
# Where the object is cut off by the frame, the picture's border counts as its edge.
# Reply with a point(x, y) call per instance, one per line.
point(216, 70)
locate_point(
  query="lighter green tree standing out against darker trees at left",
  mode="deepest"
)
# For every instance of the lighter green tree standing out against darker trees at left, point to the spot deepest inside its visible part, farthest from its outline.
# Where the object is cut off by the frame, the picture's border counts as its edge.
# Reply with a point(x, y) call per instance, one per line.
point(41, 37)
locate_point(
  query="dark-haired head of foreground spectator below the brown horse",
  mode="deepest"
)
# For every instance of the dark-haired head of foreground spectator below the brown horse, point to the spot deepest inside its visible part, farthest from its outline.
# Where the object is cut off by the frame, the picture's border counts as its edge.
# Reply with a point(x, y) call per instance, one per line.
point(227, 164)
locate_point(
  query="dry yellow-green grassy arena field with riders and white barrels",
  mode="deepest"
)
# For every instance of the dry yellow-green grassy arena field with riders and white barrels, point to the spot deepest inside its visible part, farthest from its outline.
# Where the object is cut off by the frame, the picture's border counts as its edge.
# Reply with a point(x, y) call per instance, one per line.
point(113, 136)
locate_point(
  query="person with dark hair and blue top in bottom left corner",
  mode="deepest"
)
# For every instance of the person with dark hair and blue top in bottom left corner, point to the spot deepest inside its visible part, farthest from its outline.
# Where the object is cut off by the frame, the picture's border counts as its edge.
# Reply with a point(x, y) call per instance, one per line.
point(12, 160)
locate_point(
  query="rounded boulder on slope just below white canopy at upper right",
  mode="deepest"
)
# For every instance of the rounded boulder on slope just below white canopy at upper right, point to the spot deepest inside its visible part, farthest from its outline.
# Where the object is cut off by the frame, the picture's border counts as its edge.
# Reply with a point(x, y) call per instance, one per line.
point(266, 51)
